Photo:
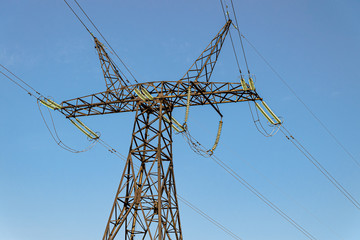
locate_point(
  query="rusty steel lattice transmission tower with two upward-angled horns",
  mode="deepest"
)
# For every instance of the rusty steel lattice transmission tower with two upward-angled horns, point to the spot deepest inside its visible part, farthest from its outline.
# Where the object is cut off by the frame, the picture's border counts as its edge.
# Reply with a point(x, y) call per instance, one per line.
point(146, 204)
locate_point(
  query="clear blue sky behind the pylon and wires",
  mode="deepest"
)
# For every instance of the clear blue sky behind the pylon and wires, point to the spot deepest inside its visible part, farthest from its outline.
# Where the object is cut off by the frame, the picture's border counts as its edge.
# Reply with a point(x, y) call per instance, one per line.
point(48, 193)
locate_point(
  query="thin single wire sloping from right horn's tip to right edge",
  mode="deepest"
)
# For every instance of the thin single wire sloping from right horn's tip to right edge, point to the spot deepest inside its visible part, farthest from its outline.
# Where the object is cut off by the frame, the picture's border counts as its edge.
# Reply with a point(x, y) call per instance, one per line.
point(303, 103)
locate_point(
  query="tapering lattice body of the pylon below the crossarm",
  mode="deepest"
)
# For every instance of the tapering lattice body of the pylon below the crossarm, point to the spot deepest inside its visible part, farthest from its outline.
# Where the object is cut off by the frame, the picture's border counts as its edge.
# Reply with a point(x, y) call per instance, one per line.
point(146, 206)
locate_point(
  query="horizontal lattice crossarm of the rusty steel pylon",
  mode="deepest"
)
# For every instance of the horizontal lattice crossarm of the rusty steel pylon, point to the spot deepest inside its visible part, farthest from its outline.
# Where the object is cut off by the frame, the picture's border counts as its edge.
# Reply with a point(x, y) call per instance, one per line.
point(176, 93)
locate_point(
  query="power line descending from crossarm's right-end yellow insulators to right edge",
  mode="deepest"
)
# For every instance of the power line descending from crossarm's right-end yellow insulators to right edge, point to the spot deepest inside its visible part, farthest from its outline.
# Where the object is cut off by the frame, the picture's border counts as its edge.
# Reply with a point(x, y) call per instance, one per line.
point(319, 166)
